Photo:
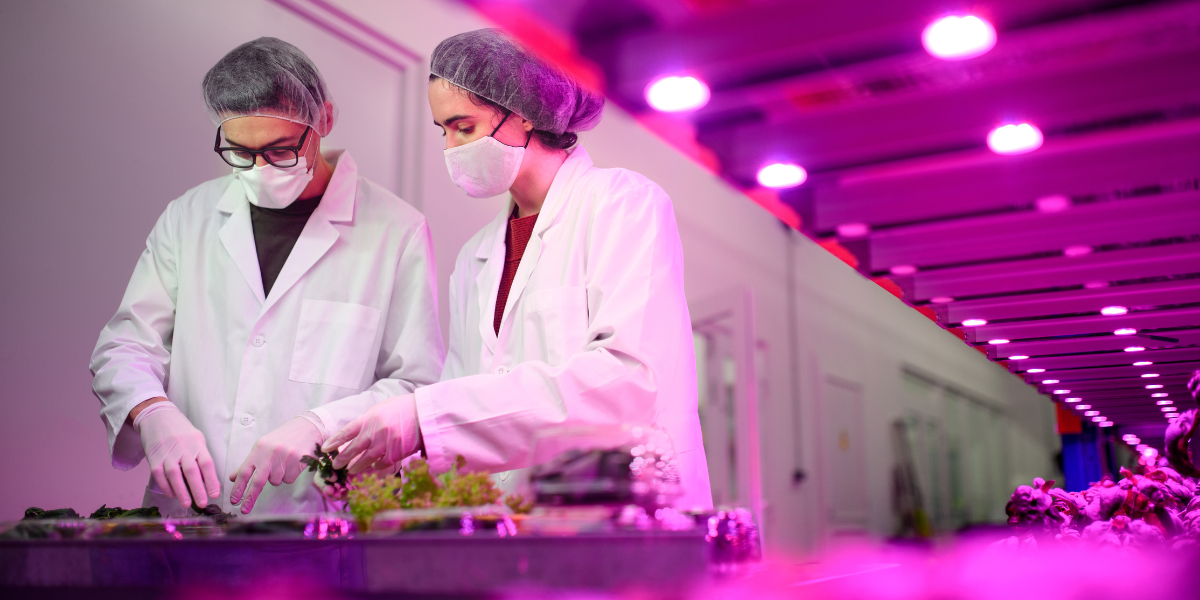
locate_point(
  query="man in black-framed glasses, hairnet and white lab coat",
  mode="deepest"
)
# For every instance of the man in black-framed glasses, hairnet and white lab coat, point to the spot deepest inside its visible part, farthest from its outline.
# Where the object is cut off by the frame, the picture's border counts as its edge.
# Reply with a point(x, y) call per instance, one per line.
point(271, 308)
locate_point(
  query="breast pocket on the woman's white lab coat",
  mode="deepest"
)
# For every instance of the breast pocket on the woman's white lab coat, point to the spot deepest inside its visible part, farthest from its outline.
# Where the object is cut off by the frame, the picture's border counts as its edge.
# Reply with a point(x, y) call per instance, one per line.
point(556, 325)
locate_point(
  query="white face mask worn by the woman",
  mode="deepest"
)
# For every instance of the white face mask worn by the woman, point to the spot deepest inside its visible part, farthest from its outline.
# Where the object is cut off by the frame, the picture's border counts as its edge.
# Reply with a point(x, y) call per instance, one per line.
point(485, 167)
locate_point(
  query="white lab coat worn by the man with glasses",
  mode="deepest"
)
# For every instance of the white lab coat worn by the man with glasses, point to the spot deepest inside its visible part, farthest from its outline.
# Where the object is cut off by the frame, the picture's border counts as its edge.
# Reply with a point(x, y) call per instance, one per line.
point(351, 321)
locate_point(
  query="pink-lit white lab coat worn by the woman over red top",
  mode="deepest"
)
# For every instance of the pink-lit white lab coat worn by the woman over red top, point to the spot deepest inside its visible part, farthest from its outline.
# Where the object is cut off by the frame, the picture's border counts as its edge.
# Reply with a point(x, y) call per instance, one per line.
point(596, 331)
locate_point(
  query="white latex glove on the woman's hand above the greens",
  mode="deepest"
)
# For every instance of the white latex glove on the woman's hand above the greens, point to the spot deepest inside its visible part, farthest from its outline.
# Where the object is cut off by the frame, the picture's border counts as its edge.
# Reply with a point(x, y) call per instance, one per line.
point(382, 437)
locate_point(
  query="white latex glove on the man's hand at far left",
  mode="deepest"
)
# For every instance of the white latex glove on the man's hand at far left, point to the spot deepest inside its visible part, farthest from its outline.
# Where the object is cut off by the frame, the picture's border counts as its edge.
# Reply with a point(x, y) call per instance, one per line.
point(178, 454)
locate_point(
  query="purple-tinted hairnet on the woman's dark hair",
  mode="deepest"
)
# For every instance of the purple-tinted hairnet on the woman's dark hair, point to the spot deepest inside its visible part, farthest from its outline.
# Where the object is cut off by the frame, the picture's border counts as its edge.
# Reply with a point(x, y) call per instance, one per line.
point(493, 67)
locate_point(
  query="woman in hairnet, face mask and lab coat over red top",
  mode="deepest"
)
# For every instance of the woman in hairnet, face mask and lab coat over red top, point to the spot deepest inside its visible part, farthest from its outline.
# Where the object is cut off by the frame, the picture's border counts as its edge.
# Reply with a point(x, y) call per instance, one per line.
point(568, 308)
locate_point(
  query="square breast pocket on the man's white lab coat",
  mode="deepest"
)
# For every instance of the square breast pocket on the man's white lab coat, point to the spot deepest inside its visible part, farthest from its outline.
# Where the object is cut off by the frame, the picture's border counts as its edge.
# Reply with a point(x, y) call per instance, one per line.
point(334, 344)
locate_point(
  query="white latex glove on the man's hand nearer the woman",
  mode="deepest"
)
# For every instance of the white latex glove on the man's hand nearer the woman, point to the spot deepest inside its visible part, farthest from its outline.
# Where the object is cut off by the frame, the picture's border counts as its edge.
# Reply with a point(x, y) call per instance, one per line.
point(275, 459)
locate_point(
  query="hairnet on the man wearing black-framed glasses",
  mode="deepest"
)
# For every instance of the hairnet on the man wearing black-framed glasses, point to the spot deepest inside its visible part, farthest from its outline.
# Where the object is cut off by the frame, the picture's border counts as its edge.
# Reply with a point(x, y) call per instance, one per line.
point(269, 77)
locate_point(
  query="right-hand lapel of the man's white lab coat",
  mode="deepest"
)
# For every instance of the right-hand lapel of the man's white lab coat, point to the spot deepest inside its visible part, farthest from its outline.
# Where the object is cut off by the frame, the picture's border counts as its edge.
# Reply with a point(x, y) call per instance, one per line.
point(320, 235)
